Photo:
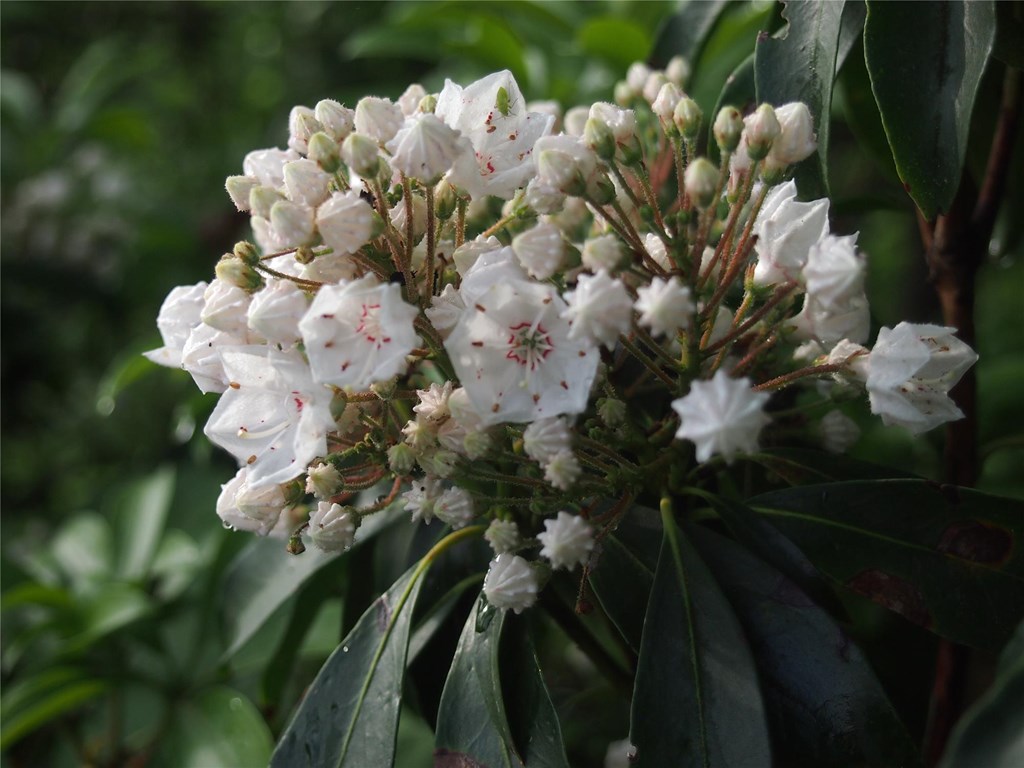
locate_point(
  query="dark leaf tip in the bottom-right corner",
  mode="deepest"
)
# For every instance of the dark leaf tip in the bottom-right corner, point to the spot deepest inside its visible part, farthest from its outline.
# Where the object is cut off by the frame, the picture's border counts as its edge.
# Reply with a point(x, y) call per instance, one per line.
point(992, 733)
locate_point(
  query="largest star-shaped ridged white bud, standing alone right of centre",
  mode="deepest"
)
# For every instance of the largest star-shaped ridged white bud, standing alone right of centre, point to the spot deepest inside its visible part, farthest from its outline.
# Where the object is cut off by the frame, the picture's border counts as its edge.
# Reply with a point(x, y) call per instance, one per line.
point(721, 416)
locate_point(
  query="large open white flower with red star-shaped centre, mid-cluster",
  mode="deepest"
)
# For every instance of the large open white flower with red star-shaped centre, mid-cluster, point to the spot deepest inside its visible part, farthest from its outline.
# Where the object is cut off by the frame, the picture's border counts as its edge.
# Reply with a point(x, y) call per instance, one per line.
point(514, 356)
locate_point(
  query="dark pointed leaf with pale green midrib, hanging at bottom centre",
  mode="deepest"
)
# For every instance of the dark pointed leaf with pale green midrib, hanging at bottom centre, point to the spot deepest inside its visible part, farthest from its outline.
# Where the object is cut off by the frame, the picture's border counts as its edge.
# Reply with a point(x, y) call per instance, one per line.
point(697, 701)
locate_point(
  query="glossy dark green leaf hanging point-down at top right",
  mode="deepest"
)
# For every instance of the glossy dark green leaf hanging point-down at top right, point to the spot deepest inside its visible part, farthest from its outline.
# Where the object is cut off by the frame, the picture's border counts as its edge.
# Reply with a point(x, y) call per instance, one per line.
point(926, 62)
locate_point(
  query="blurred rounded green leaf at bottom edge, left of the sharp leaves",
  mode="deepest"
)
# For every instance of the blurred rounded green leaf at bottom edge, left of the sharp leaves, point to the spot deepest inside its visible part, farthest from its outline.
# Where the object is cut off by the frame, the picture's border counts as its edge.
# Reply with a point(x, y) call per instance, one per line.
point(220, 728)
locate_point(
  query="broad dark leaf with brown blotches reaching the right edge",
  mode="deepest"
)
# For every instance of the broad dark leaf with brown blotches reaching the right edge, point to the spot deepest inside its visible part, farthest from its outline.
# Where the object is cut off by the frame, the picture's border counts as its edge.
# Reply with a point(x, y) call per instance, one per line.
point(948, 559)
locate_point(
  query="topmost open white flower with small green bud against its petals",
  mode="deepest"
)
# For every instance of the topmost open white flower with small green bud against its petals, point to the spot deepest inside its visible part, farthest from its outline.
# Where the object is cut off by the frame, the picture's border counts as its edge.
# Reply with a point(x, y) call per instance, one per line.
point(492, 113)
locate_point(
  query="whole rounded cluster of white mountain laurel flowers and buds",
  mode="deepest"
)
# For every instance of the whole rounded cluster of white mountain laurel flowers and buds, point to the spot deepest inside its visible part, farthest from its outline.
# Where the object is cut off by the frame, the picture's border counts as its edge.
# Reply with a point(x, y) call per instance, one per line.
point(517, 321)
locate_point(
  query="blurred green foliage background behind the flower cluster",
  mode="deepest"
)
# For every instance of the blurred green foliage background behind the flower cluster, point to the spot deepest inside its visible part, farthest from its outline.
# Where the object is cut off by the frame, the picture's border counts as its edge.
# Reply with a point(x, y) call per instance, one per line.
point(119, 124)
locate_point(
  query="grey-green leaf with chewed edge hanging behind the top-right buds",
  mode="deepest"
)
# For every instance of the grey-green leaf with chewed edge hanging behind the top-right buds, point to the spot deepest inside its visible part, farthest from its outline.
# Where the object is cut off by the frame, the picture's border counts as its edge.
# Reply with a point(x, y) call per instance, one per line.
point(799, 65)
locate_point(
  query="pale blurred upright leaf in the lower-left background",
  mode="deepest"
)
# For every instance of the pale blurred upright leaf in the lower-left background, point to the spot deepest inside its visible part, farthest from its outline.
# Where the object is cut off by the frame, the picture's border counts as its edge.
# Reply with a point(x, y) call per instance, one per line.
point(141, 519)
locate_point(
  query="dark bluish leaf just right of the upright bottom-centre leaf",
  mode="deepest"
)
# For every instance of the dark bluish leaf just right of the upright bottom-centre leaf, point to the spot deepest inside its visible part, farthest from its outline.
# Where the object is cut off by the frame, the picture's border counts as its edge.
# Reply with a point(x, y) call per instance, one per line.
point(824, 702)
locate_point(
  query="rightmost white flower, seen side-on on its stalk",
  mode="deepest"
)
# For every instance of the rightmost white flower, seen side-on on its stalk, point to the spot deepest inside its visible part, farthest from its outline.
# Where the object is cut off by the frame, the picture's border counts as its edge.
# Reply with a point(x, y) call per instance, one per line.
point(911, 371)
